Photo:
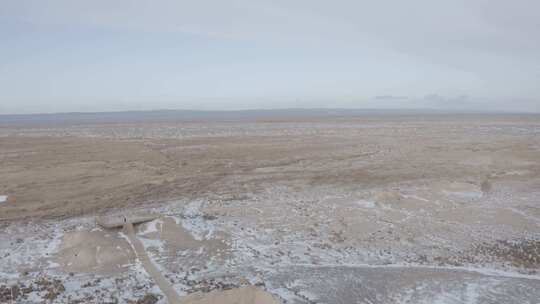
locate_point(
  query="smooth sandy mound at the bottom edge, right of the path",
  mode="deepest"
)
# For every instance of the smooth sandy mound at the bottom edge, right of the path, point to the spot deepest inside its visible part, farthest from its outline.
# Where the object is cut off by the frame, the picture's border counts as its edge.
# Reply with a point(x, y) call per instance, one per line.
point(243, 295)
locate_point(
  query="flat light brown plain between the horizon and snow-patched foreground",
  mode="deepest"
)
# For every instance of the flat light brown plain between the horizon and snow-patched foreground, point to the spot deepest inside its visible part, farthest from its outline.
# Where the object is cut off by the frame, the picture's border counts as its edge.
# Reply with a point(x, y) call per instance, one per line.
point(92, 169)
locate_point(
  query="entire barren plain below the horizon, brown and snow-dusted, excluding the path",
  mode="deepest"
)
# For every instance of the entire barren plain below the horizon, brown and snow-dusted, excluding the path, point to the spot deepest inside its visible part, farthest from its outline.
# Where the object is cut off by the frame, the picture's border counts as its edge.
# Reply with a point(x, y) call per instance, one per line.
point(383, 209)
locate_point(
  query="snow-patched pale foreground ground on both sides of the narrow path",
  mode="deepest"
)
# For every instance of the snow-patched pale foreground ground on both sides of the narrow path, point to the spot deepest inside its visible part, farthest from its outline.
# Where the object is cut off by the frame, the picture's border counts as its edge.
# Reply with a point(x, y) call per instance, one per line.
point(342, 248)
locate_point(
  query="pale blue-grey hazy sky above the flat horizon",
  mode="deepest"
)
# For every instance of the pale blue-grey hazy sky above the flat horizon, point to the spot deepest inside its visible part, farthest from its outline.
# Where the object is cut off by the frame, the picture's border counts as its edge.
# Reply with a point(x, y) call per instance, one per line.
point(103, 55)
